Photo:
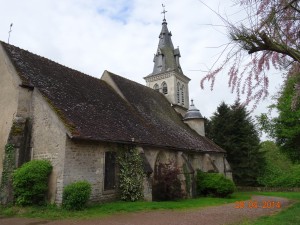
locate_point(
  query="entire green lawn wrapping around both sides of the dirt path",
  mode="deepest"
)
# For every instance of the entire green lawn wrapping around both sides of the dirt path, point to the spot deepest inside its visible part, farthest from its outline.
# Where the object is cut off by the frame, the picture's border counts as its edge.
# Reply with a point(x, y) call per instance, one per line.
point(287, 216)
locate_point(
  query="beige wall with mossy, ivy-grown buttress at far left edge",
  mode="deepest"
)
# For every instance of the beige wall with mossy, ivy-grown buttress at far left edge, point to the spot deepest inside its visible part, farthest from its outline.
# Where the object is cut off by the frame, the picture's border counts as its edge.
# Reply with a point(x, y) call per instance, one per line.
point(15, 127)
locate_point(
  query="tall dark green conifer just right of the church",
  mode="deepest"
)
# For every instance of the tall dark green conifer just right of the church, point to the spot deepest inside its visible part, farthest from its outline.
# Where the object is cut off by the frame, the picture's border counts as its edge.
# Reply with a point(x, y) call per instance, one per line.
point(234, 130)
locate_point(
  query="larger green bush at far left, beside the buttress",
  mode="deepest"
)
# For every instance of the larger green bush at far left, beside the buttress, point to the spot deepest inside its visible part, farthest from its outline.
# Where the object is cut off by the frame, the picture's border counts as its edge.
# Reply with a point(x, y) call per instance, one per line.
point(30, 182)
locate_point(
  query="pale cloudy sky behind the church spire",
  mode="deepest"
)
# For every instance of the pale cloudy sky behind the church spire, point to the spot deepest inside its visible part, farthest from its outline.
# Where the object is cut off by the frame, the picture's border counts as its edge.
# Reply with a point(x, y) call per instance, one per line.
point(122, 35)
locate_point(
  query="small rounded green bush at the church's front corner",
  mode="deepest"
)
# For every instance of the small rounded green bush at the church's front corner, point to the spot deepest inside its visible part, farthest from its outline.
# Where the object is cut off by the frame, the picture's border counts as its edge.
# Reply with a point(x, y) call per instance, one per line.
point(76, 195)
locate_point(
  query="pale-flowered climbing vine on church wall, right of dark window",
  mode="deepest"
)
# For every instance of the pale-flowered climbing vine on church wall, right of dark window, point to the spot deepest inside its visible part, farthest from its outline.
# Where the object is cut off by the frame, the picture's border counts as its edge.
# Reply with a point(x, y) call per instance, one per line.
point(131, 173)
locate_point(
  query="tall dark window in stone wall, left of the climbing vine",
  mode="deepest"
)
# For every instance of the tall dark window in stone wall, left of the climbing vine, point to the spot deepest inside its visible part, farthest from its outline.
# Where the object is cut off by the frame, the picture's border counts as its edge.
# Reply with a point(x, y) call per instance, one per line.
point(110, 171)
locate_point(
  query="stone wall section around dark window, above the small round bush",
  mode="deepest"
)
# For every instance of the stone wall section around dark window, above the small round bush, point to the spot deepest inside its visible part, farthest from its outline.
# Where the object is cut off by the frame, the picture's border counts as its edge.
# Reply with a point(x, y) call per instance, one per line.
point(85, 161)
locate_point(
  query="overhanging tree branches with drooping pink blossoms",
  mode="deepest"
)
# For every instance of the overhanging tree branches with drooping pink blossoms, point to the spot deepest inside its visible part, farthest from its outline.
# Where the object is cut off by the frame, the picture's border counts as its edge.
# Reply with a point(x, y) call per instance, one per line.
point(271, 37)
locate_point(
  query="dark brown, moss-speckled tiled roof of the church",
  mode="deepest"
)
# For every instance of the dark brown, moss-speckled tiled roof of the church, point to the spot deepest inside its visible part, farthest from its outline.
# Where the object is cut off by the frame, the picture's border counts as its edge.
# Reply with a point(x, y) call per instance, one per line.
point(92, 110)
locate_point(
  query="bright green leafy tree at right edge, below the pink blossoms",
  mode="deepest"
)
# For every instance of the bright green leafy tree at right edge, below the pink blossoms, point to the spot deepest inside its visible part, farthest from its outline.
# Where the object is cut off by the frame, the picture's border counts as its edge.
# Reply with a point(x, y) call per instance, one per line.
point(285, 128)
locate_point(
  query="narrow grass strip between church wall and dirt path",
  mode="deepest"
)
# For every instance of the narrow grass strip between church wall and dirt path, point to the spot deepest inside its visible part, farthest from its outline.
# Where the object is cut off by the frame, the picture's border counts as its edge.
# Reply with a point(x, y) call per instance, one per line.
point(106, 209)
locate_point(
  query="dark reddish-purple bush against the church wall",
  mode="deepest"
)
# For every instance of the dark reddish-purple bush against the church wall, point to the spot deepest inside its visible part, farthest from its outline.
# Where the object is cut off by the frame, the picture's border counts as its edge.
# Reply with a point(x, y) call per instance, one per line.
point(167, 186)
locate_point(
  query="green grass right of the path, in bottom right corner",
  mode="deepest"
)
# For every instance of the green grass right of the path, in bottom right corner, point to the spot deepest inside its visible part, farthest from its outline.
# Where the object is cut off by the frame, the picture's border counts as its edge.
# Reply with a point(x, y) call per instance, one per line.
point(289, 216)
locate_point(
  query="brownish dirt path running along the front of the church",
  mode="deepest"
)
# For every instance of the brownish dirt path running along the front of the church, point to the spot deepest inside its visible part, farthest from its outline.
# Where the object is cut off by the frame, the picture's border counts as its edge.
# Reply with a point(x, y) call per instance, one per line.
point(217, 215)
